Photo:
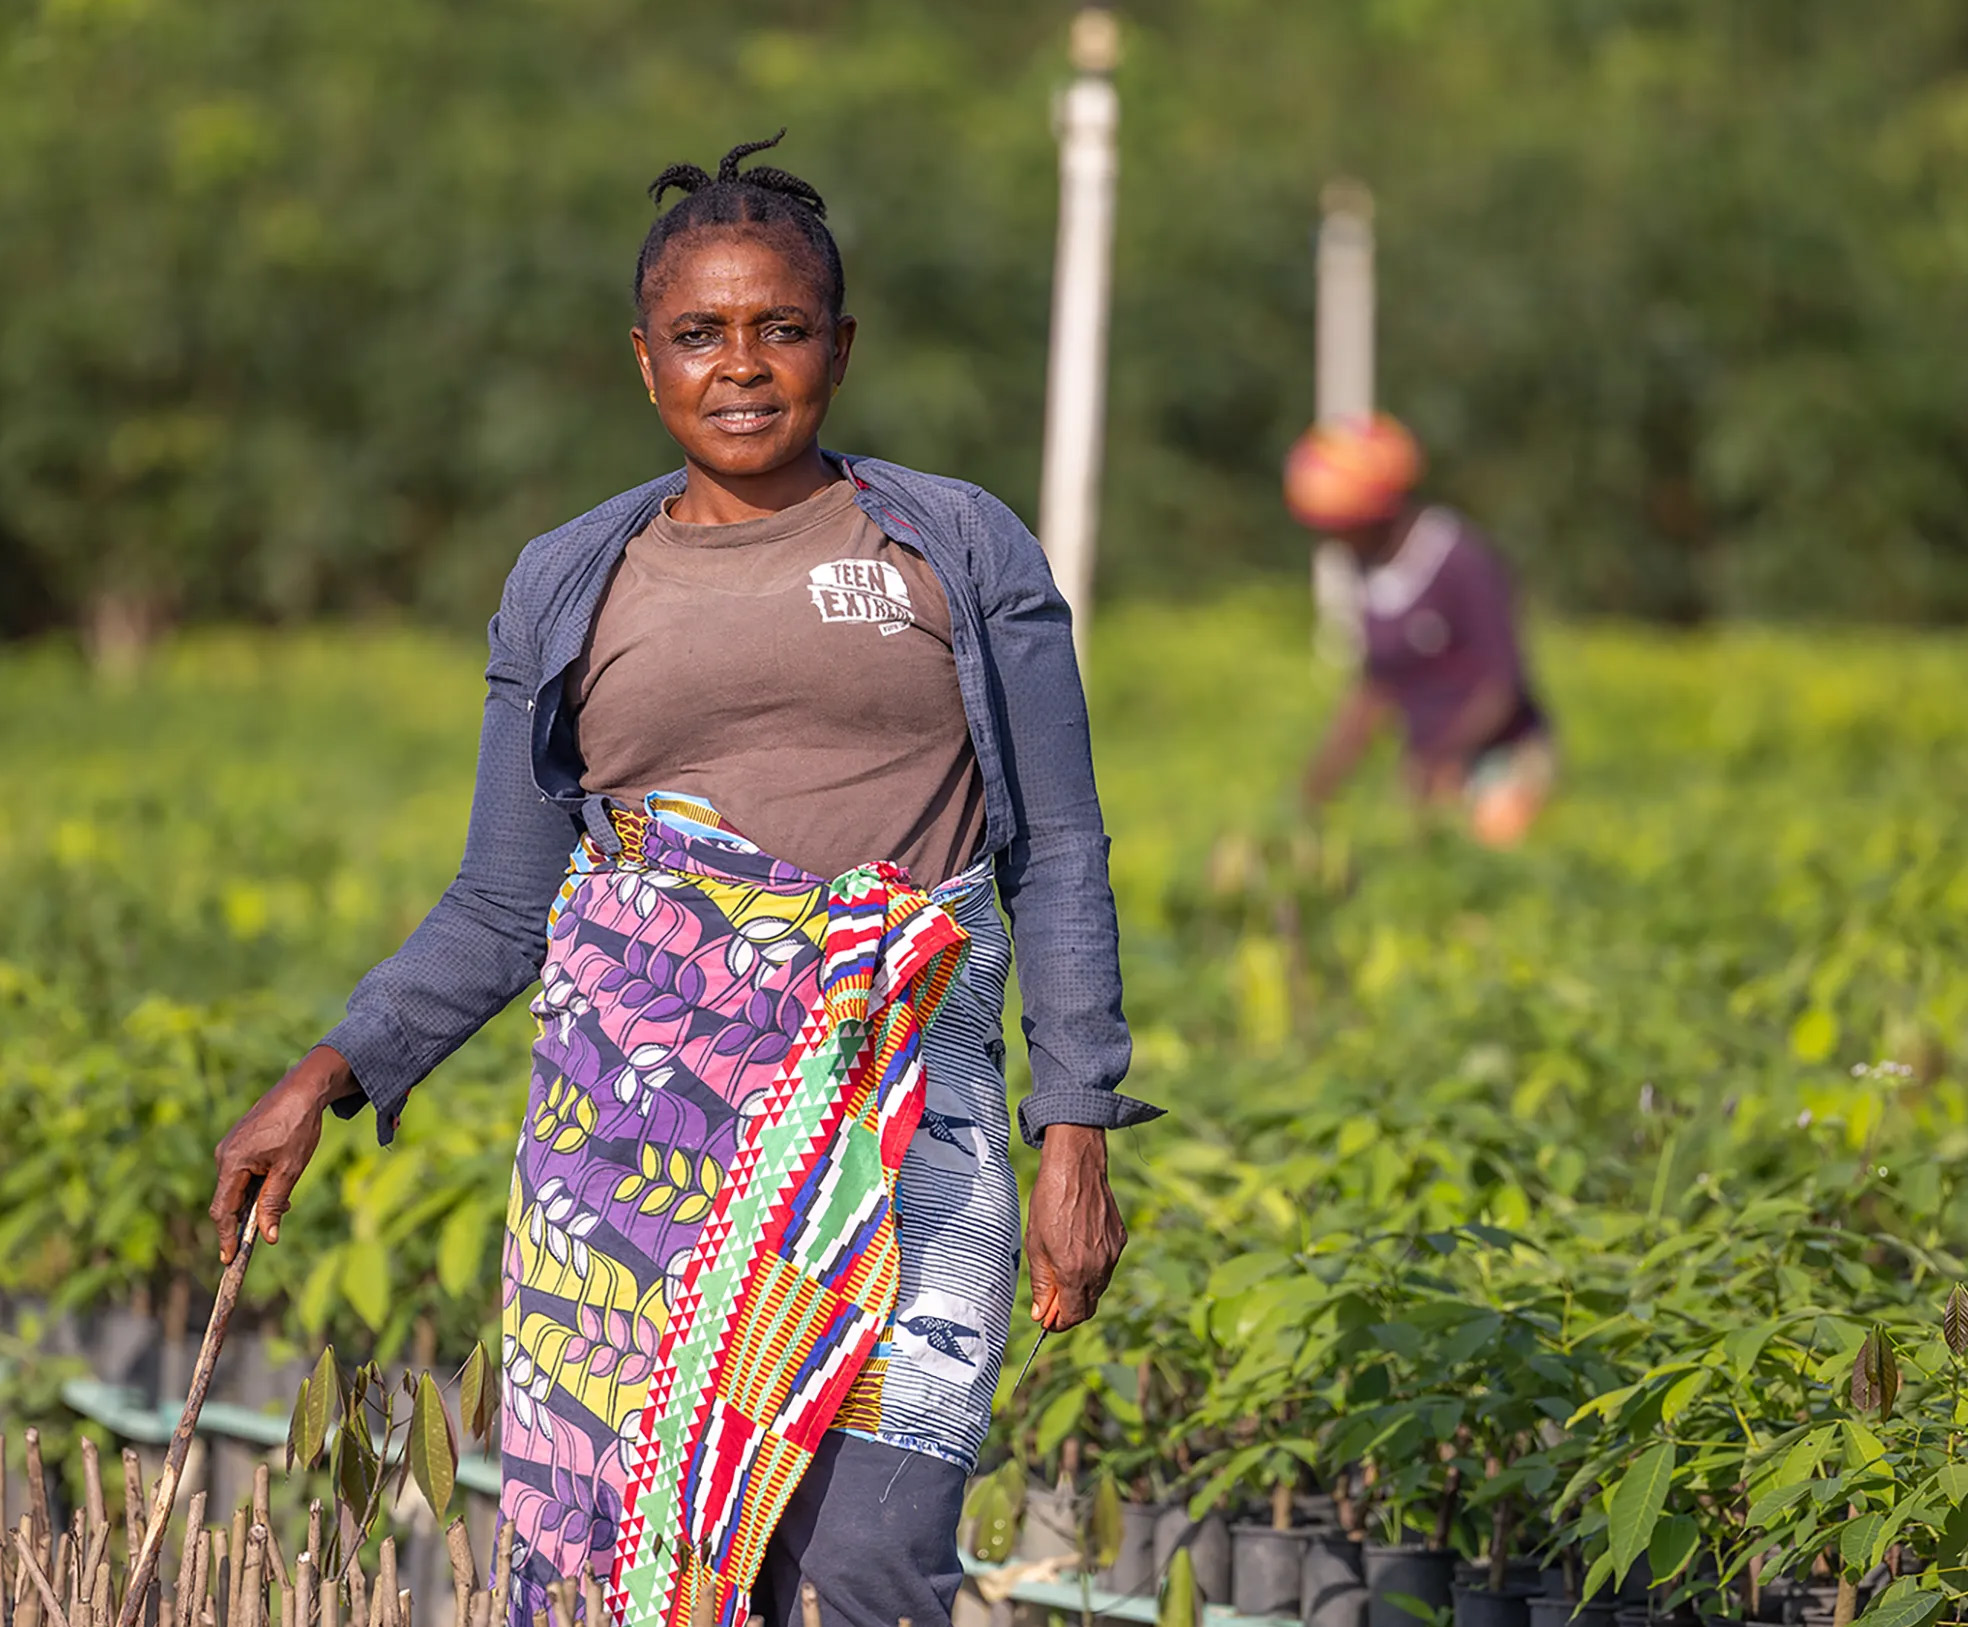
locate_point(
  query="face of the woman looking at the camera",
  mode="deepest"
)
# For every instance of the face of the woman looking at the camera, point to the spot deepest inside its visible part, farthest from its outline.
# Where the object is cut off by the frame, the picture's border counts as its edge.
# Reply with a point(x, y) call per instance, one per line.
point(741, 353)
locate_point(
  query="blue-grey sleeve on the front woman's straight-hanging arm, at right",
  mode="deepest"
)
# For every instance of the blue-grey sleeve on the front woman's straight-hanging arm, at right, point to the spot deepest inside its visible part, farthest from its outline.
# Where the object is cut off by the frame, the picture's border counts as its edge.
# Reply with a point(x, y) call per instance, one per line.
point(1054, 874)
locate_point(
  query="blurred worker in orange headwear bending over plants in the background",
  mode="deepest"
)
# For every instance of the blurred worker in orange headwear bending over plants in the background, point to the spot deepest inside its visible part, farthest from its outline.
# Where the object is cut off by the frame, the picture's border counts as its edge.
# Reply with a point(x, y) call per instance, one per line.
point(1432, 609)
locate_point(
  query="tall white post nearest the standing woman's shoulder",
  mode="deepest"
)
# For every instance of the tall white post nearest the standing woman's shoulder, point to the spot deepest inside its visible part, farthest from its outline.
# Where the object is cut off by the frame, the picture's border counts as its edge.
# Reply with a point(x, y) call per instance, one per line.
point(1076, 383)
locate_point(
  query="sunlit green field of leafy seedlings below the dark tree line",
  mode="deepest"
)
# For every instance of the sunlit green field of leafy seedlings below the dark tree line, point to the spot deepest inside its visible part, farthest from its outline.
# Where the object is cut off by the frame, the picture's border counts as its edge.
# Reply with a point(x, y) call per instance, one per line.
point(1638, 1057)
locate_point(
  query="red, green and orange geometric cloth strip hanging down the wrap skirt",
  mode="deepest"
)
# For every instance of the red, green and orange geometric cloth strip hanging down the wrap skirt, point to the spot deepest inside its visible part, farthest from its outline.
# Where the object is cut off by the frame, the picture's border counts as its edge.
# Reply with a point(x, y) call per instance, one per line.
point(796, 1272)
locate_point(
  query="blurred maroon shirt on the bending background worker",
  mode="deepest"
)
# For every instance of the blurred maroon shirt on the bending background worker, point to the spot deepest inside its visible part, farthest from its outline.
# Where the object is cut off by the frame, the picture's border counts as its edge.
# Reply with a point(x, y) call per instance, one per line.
point(1438, 623)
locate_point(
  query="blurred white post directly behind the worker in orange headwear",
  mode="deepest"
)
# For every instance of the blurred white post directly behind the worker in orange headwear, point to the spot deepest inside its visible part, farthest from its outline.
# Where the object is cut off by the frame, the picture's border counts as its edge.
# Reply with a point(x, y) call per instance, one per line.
point(1343, 387)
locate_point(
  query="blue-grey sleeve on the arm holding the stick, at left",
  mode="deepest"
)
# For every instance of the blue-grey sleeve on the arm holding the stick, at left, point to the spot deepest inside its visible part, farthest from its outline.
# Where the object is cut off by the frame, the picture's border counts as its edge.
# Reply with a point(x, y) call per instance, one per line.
point(487, 937)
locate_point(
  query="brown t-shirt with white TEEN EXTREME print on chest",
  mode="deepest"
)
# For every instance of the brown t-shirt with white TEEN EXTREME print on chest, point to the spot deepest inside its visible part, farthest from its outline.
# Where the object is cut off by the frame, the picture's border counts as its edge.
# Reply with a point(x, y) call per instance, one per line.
point(796, 674)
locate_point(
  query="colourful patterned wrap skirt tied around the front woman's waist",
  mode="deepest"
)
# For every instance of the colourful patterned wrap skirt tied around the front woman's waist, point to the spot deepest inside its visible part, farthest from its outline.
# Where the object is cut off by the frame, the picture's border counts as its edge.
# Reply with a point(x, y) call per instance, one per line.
point(702, 1264)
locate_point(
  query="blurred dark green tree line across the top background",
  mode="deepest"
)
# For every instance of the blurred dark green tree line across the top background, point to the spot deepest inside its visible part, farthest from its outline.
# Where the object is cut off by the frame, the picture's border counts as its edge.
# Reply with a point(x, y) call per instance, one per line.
point(324, 308)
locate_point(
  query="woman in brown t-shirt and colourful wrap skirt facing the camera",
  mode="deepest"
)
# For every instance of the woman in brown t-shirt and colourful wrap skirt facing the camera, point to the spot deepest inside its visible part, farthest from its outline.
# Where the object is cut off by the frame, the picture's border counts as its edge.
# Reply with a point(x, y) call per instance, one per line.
point(804, 723)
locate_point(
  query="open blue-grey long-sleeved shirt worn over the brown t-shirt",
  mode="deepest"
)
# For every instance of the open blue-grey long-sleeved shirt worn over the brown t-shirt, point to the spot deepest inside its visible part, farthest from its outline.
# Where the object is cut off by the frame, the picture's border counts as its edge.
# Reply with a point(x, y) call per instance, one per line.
point(485, 939)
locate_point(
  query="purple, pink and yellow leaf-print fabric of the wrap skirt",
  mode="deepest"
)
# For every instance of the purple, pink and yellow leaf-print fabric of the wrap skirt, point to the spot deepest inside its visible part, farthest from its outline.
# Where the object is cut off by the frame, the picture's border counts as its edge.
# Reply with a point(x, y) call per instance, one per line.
point(670, 996)
